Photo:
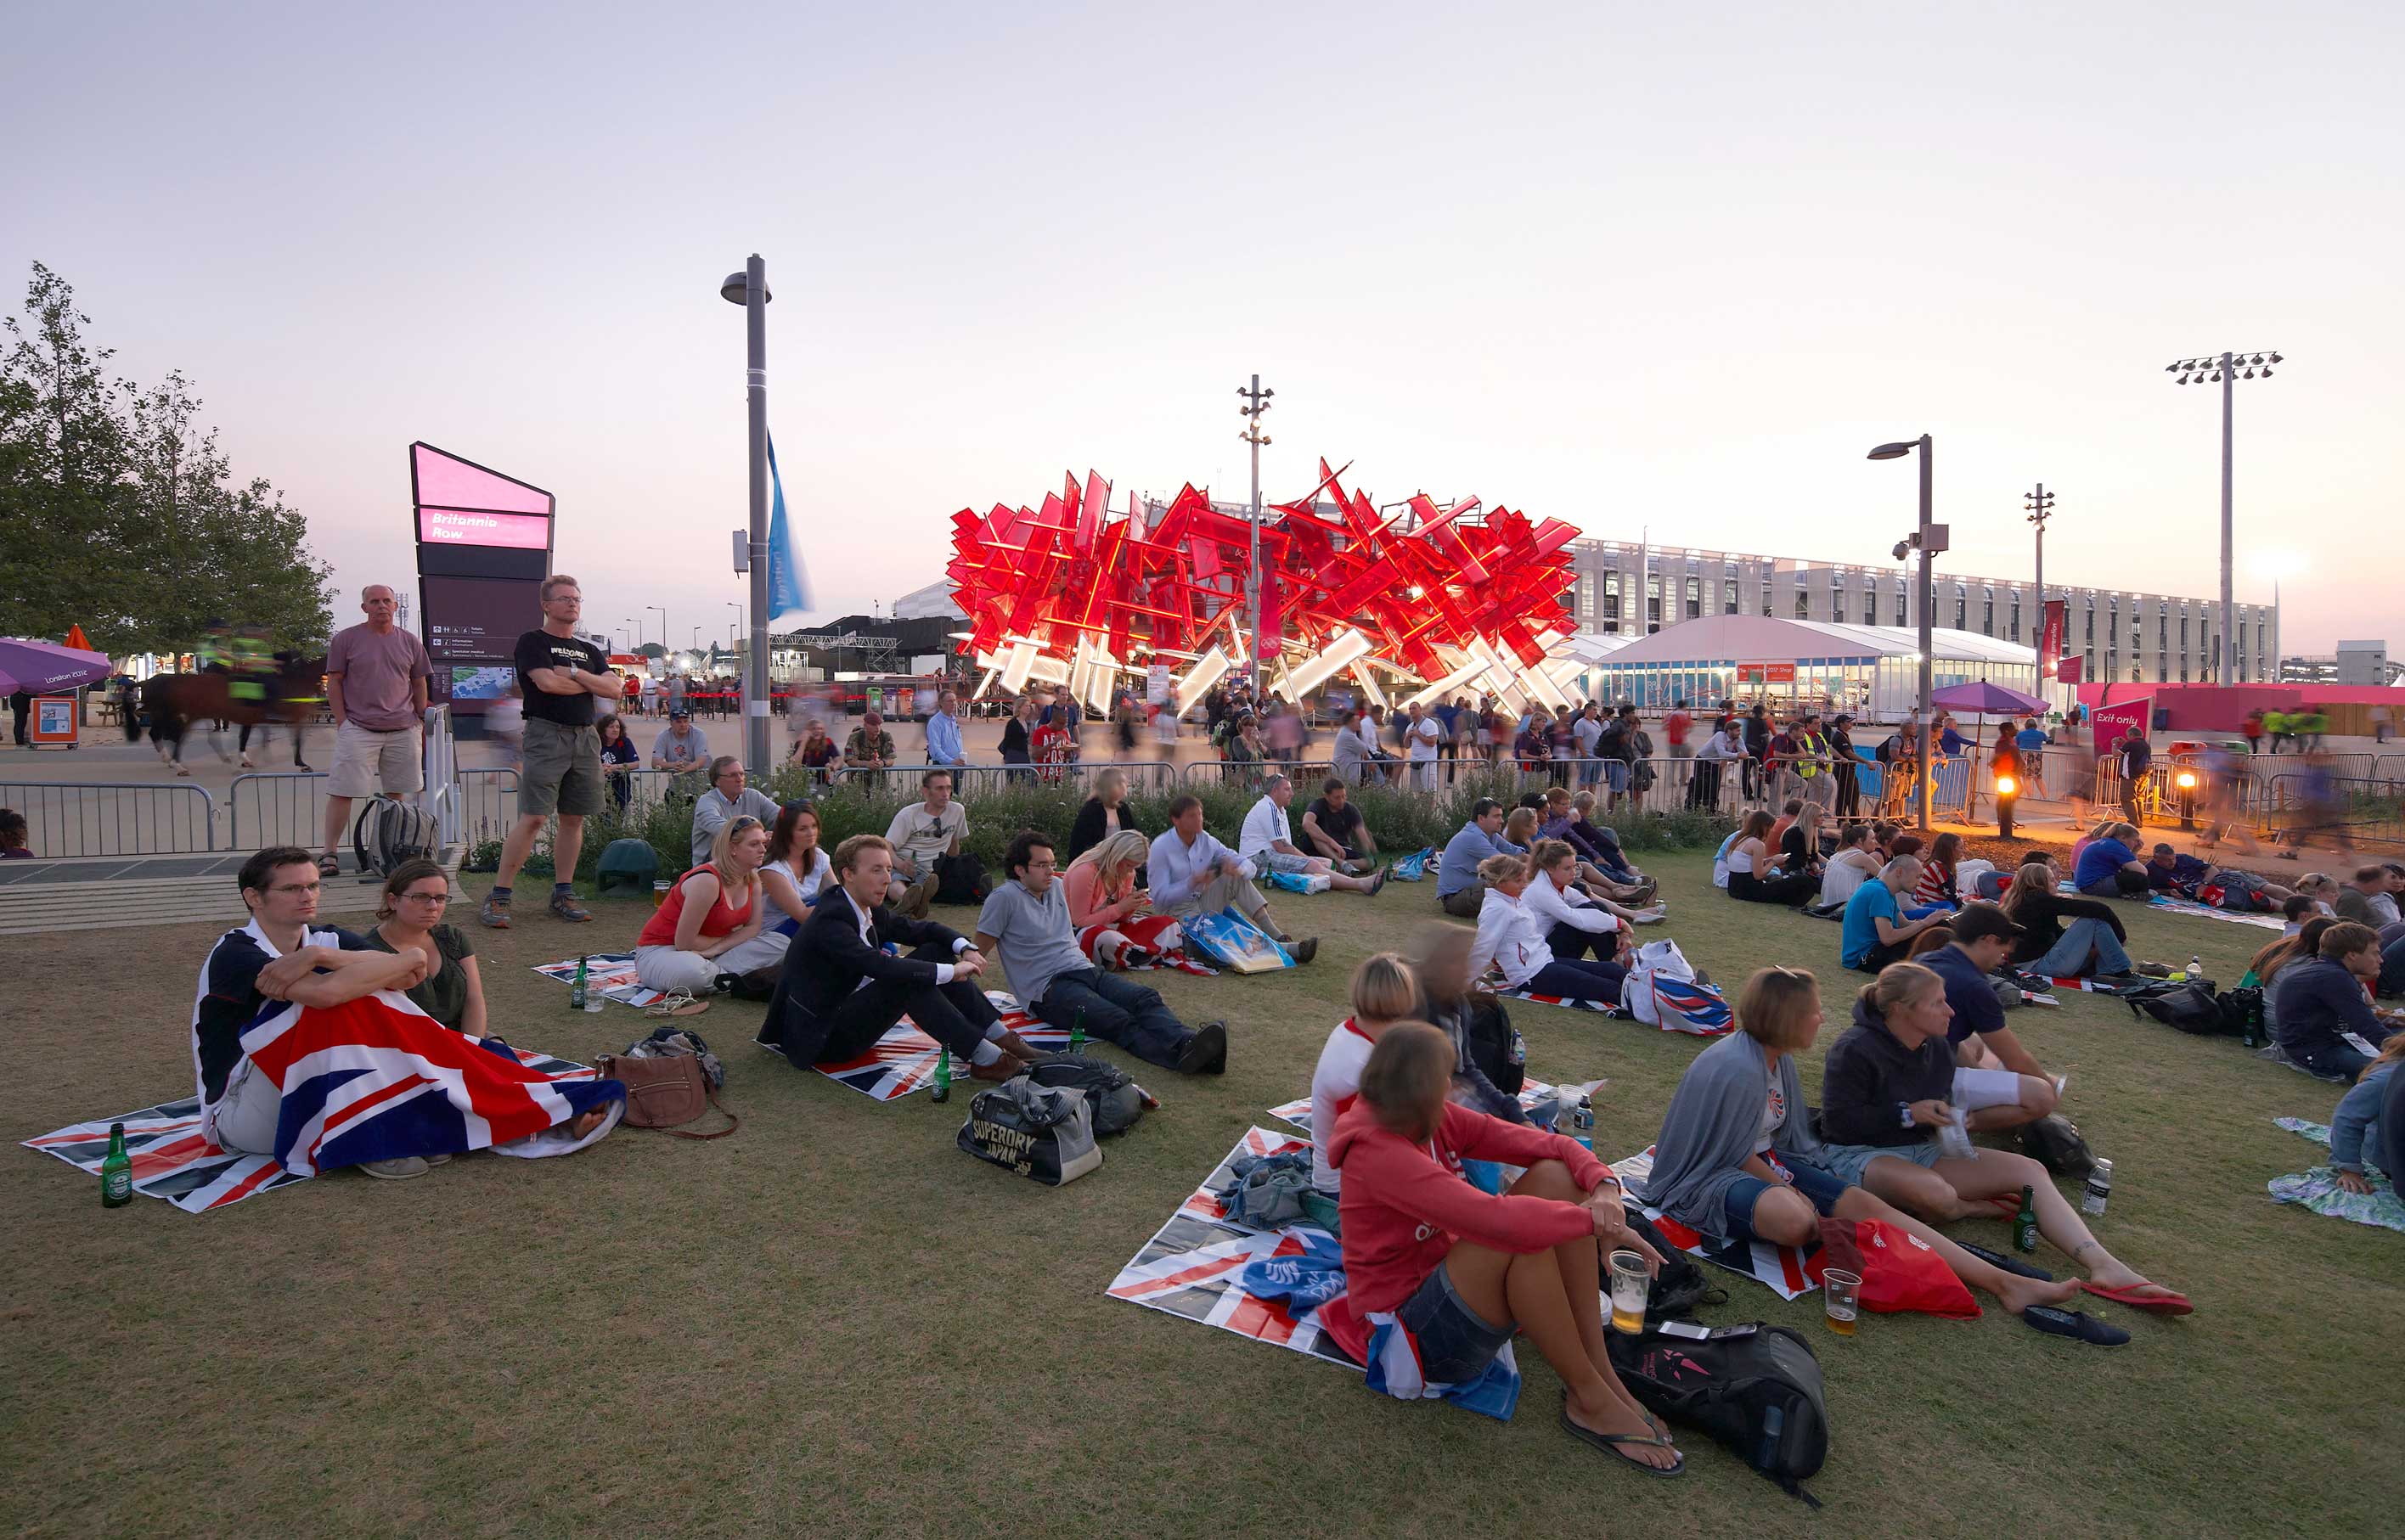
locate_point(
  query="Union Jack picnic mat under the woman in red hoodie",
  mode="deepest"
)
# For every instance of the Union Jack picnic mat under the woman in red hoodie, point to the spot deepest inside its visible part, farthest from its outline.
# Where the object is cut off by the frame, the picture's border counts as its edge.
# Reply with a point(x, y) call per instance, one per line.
point(1194, 1265)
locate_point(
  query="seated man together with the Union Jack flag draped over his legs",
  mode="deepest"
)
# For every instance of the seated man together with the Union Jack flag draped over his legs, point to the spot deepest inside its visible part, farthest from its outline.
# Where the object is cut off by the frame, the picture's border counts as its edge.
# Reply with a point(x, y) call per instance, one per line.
point(307, 1049)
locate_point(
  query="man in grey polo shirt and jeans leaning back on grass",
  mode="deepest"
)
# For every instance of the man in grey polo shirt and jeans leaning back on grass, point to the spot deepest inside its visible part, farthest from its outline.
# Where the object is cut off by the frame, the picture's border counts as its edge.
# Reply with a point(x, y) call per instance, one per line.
point(1026, 929)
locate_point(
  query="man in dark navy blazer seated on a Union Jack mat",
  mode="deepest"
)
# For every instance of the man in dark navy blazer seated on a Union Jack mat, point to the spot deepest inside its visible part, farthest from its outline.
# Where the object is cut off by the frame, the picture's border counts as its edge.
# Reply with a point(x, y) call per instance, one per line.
point(841, 989)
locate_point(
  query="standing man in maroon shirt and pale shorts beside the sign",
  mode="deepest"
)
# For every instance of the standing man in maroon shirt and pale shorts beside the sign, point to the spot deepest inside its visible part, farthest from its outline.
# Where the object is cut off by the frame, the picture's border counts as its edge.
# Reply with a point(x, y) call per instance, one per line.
point(376, 686)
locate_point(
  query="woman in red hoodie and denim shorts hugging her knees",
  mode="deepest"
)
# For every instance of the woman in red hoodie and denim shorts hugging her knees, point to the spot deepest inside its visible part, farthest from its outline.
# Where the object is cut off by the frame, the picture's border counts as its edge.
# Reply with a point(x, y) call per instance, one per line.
point(1461, 1267)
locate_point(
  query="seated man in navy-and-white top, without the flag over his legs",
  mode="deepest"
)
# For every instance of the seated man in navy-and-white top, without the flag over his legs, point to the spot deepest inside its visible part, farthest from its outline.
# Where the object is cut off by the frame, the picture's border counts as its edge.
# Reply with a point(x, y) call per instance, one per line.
point(278, 957)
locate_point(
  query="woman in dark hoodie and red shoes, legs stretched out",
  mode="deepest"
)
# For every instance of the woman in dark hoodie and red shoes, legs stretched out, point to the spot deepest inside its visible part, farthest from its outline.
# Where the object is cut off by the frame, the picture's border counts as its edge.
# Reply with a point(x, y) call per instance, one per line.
point(1884, 1097)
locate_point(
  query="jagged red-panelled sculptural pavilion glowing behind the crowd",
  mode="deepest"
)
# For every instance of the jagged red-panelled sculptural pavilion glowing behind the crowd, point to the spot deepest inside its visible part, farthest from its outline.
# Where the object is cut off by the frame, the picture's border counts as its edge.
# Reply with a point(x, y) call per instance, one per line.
point(1074, 587)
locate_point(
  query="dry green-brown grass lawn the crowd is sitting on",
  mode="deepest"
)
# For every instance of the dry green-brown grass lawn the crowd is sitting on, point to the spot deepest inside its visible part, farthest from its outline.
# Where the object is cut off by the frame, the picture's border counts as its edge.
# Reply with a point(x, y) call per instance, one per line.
point(836, 1323)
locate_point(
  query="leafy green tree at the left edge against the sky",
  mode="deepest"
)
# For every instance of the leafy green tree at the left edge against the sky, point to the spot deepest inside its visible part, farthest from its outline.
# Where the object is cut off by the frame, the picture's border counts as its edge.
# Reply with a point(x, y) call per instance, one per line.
point(119, 511)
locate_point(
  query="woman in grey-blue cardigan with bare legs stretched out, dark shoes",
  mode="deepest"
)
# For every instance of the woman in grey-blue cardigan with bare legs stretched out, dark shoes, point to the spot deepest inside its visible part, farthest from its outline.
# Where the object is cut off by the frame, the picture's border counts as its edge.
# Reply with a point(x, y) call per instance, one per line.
point(1740, 1104)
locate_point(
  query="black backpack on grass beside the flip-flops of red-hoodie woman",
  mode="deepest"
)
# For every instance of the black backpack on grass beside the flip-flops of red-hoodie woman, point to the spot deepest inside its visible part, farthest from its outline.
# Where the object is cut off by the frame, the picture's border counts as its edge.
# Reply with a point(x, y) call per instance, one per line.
point(1752, 1387)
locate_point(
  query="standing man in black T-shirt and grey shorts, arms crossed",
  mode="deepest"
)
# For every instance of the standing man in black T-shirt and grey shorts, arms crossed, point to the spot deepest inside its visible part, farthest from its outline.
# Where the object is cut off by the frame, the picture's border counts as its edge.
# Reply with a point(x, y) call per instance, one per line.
point(562, 676)
